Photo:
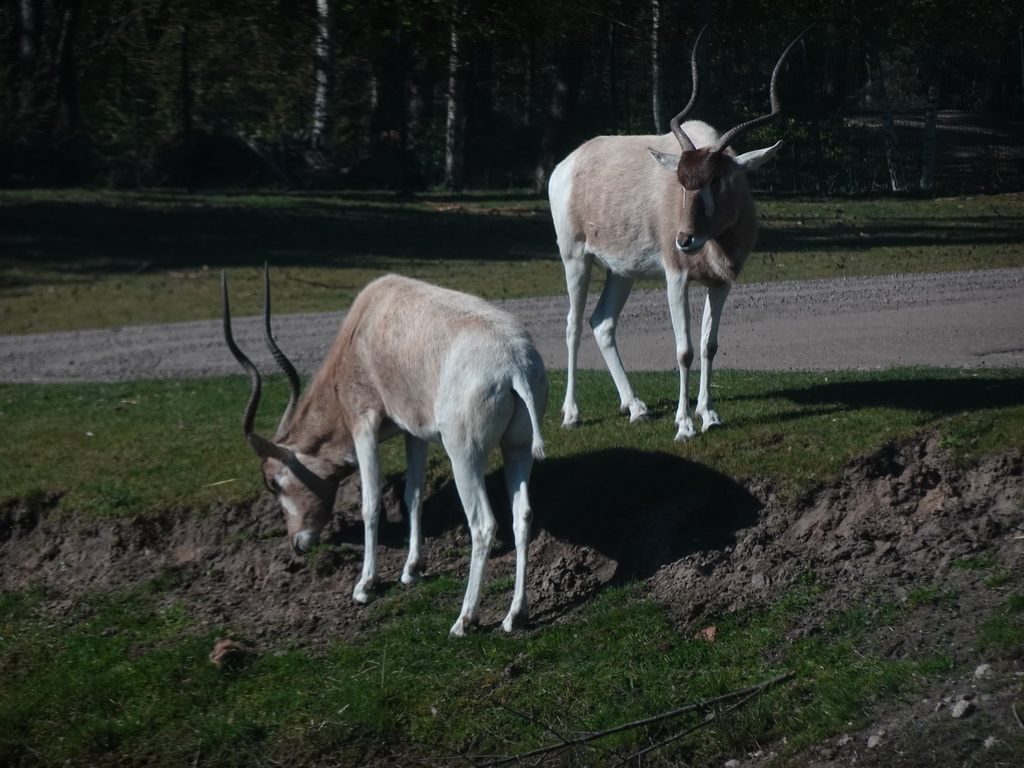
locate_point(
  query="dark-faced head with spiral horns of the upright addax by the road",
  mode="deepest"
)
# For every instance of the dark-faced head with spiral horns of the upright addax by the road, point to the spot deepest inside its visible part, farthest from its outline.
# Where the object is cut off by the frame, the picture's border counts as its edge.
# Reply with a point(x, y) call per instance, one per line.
point(707, 175)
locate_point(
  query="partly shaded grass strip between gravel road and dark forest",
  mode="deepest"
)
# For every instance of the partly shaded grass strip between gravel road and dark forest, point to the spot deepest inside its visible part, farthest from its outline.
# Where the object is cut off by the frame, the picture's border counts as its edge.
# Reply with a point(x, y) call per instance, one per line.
point(97, 260)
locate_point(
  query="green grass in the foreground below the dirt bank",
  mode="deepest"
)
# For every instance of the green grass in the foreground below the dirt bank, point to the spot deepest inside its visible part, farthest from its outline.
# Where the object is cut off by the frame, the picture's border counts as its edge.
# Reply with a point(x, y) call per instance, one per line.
point(134, 681)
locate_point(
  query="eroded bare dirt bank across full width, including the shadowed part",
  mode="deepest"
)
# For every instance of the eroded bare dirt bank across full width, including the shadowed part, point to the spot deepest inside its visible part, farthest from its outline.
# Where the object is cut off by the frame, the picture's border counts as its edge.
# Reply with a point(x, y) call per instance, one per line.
point(893, 521)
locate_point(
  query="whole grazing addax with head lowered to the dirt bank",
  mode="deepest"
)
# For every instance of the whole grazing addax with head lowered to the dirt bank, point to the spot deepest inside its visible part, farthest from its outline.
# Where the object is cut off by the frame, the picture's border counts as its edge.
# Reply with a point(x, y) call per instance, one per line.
point(430, 363)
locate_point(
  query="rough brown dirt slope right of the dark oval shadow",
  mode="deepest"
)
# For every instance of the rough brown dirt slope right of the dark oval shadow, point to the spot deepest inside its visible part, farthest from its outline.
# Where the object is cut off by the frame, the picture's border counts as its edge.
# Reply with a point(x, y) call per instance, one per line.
point(893, 521)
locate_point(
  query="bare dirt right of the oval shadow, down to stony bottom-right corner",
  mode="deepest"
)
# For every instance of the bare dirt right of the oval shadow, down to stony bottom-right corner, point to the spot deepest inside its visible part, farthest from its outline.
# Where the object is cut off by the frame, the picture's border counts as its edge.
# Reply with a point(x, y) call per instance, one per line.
point(898, 527)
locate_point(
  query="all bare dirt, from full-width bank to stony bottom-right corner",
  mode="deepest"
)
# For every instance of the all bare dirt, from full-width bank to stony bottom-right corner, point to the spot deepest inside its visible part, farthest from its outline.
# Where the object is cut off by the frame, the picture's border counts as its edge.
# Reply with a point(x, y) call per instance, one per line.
point(893, 523)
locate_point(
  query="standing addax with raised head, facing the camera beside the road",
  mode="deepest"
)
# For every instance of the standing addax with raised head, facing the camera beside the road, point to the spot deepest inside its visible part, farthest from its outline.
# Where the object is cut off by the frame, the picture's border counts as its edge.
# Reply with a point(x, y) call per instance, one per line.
point(614, 200)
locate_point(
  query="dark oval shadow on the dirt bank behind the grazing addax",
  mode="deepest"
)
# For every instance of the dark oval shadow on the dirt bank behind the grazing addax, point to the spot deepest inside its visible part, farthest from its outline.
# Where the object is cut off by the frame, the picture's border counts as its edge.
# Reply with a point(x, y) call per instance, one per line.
point(641, 509)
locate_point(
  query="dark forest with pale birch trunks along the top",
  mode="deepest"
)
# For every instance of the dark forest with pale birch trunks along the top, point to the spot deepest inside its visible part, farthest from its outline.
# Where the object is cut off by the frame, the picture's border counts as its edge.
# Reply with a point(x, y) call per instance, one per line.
point(413, 95)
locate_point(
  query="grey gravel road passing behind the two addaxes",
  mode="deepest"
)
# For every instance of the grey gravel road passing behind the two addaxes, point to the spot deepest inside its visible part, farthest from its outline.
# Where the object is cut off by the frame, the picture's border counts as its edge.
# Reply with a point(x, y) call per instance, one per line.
point(961, 320)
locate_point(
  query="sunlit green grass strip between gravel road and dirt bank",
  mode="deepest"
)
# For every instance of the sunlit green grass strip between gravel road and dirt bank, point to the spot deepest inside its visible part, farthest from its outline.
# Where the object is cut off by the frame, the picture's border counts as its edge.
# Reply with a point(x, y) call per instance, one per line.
point(129, 449)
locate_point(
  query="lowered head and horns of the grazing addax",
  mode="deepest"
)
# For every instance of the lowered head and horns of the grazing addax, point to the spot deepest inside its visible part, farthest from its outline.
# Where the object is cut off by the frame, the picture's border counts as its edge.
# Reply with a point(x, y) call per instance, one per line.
point(305, 485)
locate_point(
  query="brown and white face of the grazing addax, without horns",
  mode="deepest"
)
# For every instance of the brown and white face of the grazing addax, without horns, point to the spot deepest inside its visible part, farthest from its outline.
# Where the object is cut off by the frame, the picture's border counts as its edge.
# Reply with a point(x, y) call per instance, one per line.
point(306, 487)
